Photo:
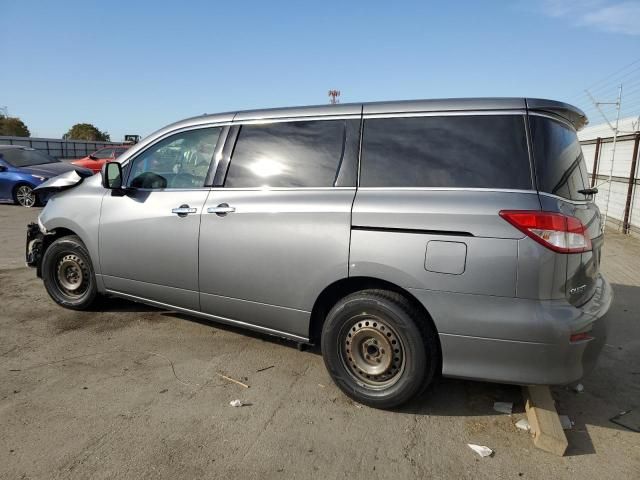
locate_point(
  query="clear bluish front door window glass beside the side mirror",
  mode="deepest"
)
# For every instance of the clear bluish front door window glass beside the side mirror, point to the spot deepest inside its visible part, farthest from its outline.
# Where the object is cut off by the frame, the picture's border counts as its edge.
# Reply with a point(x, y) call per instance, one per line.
point(179, 161)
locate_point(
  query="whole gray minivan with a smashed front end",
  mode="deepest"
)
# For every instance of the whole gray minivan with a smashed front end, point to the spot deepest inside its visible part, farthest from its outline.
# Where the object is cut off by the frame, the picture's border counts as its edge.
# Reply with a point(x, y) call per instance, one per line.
point(456, 237)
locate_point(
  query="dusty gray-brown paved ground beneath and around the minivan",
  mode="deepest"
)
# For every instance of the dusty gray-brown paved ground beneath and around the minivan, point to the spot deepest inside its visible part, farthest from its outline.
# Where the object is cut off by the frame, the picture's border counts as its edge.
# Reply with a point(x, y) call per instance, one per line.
point(129, 391)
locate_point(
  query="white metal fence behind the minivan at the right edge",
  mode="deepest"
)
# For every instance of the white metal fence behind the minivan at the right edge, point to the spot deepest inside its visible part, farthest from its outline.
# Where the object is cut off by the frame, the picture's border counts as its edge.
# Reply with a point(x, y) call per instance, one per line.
point(624, 200)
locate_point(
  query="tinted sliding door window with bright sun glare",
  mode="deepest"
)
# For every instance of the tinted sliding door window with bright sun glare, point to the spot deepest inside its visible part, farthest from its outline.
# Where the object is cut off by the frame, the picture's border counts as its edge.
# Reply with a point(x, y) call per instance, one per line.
point(289, 154)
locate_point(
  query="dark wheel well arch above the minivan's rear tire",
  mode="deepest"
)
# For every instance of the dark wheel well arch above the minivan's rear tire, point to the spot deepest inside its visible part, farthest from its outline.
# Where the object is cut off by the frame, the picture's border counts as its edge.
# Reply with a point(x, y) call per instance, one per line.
point(340, 289)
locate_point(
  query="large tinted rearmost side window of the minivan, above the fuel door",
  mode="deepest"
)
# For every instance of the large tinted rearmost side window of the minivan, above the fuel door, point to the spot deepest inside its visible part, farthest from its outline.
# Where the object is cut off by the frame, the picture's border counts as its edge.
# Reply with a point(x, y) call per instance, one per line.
point(486, 151)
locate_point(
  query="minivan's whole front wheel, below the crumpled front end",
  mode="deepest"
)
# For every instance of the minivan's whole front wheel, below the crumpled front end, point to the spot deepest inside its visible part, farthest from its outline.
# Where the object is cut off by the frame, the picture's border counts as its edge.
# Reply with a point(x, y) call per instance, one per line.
point(63, 263)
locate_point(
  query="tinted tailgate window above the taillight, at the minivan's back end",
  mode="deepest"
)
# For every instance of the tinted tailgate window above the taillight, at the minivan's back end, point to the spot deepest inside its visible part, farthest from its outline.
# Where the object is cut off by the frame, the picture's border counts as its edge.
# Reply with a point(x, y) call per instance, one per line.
point(558, 156)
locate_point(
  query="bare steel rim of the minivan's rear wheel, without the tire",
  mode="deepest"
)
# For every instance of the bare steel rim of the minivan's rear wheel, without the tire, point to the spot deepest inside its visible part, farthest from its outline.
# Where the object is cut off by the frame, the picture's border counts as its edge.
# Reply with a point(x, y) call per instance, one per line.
point(372, 352)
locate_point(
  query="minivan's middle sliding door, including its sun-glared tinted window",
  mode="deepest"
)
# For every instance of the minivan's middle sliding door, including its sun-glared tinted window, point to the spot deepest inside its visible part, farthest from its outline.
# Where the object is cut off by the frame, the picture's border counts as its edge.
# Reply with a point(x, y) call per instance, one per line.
point(277, 233)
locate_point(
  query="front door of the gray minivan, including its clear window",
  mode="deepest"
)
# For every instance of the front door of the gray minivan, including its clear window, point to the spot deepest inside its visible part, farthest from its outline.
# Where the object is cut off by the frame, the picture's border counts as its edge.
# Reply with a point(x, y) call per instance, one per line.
point(149, 237)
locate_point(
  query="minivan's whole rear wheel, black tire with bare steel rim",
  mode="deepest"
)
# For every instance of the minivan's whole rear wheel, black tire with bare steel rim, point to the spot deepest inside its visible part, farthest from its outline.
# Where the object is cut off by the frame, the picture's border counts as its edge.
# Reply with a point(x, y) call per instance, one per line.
point(362, 325)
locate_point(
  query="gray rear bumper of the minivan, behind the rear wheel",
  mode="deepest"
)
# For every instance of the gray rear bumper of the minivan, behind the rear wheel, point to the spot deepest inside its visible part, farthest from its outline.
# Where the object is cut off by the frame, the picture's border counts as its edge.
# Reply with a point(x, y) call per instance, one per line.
point(519, 341)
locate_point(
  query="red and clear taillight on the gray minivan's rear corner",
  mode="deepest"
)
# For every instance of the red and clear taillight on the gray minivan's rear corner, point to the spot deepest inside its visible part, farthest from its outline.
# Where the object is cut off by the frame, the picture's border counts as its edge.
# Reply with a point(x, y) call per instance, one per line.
point(558, 232)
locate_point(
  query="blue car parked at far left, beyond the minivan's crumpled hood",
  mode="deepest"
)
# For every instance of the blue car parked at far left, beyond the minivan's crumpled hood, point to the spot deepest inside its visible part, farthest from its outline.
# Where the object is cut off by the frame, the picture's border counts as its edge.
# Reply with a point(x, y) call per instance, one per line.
point(22, 169)
